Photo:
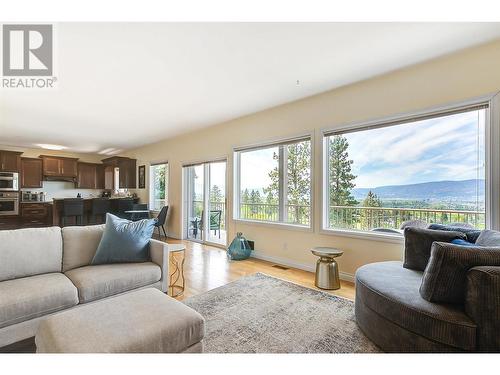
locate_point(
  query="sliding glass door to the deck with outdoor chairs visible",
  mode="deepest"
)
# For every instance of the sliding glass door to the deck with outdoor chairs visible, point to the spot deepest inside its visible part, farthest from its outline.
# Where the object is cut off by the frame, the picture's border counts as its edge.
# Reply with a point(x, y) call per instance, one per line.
point(205, 202)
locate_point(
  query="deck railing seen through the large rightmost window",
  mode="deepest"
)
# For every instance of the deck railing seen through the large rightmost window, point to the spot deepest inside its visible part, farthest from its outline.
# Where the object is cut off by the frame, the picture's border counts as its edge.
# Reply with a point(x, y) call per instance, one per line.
point(368, 218)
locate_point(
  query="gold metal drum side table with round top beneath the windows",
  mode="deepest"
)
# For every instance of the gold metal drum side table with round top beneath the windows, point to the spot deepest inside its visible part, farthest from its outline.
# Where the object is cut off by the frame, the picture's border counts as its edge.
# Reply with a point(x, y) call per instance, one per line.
point(327, 269)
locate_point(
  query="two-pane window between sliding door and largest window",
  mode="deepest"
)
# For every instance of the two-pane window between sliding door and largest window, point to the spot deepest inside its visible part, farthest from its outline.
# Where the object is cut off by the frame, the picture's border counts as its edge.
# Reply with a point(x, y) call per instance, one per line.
point(273, 183)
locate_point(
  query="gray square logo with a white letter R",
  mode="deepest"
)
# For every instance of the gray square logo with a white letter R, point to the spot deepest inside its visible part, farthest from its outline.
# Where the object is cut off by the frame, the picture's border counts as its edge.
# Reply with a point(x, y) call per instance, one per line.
point(27, 50)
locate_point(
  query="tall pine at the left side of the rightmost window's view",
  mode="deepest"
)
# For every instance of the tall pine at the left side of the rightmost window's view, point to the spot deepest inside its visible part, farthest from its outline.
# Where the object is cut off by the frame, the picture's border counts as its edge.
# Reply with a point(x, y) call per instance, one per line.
point(340, 176)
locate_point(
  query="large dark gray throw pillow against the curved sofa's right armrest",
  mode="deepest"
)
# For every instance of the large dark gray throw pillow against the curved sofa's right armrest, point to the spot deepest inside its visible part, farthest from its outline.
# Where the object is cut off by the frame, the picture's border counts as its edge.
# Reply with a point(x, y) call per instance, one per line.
point(446, 274)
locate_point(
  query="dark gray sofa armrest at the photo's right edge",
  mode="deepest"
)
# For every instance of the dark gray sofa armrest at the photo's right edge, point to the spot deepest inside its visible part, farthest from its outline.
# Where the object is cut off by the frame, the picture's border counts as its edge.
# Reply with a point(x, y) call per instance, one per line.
point(482, 305)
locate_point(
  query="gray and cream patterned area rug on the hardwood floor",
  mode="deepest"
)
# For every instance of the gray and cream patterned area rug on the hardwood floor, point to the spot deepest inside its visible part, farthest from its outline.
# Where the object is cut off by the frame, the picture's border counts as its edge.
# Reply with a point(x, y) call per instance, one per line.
point(263, 314)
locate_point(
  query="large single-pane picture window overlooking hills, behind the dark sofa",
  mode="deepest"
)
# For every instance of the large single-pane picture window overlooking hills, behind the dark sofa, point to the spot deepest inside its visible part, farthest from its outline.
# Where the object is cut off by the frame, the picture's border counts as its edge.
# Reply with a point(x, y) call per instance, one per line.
point(428, 170)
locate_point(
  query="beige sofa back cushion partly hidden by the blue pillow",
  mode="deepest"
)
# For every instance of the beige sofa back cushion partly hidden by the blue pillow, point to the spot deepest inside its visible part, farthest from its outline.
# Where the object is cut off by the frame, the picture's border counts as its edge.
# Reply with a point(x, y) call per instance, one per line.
point(80, 244)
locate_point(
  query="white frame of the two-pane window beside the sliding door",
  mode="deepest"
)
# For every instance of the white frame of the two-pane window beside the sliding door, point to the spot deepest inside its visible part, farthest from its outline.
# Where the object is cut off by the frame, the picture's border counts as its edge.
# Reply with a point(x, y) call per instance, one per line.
point(309, 136)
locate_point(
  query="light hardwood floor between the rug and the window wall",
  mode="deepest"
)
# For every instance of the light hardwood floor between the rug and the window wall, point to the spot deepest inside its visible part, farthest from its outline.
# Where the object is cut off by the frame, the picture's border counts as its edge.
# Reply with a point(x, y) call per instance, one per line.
point(207, 267)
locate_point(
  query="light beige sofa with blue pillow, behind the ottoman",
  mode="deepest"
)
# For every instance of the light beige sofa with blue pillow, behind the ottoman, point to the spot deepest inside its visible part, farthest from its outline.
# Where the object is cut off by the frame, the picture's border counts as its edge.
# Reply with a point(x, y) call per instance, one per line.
point(46, 270)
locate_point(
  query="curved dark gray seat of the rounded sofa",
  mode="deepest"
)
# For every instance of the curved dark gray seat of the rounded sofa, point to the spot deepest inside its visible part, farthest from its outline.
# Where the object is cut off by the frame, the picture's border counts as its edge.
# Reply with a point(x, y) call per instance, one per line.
point(393, 292)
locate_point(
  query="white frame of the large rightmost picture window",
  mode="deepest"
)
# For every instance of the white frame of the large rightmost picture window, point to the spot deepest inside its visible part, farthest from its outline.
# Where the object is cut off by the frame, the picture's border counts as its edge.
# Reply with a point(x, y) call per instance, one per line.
point(492, 160)
